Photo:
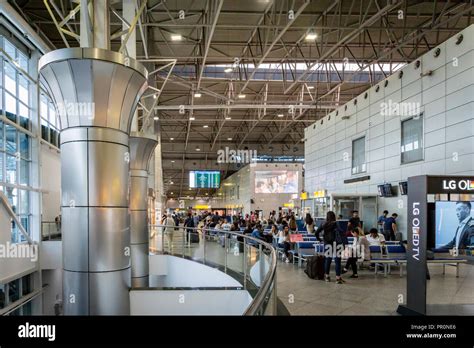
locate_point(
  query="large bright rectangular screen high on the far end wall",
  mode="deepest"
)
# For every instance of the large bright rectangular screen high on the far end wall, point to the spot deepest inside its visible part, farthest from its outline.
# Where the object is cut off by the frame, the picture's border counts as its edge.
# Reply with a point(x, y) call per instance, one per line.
point(276, 181)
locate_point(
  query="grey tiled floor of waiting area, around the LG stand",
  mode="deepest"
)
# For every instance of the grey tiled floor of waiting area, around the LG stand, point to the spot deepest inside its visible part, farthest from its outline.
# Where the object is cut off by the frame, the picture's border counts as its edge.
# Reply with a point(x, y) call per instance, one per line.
point(368, 295)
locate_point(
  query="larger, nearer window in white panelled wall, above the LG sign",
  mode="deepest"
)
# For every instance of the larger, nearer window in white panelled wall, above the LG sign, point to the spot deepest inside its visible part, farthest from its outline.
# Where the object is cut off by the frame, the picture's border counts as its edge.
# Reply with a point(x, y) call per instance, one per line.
point(412, 140)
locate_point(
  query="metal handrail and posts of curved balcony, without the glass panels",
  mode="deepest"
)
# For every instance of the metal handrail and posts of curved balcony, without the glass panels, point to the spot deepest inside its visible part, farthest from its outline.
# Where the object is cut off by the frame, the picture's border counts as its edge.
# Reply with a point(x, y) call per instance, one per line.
point(265, 284)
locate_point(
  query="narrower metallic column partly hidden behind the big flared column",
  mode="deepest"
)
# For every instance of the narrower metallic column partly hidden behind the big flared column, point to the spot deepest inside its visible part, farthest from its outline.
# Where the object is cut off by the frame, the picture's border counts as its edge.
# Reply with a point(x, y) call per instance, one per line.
point(141, 150)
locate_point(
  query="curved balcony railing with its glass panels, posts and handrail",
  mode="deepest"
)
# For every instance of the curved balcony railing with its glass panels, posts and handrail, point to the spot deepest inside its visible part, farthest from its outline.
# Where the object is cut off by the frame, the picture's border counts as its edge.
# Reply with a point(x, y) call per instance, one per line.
point(249, 260)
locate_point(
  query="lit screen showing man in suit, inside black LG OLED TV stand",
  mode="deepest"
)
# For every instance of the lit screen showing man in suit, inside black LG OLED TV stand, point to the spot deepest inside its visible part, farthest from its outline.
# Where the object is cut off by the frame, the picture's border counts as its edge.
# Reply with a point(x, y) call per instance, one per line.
point(454, 225)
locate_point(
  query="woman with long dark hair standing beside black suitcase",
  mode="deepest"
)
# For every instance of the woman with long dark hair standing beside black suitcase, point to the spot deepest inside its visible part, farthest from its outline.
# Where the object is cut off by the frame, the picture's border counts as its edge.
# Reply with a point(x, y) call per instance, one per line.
point(334, 242)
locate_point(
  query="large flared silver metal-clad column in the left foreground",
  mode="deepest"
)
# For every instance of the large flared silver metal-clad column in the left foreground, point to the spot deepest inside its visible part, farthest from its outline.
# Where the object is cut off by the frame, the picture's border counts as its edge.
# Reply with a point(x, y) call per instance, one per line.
point(94, 173)
